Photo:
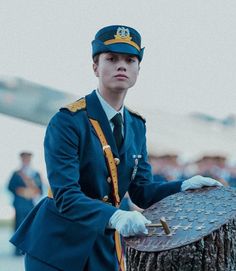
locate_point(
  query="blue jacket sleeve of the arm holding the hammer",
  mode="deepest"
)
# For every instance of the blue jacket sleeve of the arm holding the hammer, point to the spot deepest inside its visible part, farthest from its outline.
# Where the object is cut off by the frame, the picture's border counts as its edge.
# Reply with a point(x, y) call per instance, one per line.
point(61, 145)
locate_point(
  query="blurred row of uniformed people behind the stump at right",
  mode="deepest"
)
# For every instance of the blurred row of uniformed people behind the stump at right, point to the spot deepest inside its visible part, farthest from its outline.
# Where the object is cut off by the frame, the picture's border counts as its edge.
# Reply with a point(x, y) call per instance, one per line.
point(170, 167)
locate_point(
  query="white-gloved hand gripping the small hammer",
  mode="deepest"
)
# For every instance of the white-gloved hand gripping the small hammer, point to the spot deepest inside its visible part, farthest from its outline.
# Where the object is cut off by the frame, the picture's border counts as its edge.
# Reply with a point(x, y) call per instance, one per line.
point(129, 223)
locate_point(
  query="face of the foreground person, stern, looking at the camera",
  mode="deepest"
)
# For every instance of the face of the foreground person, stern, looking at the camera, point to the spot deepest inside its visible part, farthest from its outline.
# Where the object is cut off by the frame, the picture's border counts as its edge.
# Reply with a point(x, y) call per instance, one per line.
point(116, 72)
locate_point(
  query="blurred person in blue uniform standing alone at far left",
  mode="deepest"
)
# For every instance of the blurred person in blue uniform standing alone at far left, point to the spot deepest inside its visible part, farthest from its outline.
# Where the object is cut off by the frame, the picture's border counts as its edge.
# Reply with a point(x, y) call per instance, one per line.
point(26, 187)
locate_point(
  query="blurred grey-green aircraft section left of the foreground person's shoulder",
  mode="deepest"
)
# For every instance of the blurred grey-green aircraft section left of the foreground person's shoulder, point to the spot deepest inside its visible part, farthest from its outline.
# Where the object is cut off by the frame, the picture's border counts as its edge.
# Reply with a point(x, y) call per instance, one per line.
point(30, 101)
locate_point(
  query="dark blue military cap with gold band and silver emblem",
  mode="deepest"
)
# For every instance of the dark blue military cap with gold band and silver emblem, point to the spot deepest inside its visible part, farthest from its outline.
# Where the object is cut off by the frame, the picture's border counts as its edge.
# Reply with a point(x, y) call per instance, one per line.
point(118, 39)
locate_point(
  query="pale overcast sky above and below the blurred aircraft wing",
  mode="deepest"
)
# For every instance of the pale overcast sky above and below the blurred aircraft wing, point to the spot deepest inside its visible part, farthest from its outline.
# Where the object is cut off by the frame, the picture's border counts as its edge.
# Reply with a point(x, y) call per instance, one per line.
point(189, 61)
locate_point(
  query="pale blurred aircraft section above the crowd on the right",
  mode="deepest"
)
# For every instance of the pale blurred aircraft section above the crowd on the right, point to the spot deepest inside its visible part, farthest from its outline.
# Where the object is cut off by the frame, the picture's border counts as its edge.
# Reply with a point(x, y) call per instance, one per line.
point(191, 136)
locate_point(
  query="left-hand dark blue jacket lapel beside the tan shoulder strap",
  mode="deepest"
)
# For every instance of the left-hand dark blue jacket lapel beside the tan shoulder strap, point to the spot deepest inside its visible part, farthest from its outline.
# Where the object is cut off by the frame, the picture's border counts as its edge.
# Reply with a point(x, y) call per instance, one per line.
point(96, 112)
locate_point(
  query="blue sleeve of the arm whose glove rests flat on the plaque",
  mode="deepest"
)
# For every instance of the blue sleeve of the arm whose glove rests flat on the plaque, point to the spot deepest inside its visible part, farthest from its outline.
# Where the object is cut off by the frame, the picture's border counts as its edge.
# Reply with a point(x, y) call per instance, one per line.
point(143, 190)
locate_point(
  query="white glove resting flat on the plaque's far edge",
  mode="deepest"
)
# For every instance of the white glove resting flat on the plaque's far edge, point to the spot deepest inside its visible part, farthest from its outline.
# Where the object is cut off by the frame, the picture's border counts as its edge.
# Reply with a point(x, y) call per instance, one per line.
point(198, 182)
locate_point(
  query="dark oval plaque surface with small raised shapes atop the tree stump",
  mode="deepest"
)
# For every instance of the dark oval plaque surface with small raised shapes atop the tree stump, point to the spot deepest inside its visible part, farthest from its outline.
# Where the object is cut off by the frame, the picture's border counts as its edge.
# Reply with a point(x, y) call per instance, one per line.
point(190, 215)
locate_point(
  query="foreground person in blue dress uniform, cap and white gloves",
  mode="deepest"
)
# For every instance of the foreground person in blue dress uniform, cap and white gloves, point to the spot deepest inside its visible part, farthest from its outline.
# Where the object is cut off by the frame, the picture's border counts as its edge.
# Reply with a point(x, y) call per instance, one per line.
point(95, 151)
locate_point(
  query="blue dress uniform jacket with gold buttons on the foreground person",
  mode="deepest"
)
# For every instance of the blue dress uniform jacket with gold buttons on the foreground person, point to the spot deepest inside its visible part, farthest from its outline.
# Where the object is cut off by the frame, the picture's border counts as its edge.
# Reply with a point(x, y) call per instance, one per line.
point(70, 231)
